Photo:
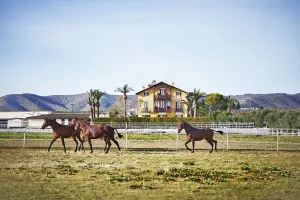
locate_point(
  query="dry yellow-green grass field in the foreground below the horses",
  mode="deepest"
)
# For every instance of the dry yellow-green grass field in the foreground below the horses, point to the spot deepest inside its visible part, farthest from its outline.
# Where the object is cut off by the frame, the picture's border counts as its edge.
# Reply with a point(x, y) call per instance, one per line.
point(148, 173)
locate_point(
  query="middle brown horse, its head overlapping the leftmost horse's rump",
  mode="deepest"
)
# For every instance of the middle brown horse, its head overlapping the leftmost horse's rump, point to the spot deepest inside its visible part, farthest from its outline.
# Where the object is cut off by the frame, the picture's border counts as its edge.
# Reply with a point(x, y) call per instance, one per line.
point(98, 131)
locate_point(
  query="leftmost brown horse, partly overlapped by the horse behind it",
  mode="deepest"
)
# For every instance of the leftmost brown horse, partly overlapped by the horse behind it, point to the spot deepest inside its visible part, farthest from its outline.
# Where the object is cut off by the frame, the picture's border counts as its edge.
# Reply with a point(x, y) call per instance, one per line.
point(63, 131)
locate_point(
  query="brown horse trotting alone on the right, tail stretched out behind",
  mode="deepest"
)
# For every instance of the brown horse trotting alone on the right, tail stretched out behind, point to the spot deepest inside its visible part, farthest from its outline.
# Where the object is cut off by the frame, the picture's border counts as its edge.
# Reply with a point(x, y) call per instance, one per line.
point(194, 134)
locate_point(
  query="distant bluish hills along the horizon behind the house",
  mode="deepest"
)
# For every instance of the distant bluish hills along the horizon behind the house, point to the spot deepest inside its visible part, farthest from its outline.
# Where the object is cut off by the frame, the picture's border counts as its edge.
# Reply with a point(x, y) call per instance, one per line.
point(27, 102)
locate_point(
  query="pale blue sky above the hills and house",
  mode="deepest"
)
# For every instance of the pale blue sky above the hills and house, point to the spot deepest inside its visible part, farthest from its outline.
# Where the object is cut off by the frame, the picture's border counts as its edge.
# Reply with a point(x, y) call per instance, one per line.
point(232, 47)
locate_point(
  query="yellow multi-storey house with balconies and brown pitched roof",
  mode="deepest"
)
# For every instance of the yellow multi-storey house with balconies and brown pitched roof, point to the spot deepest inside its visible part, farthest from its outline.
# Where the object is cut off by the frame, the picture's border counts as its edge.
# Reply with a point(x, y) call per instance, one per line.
point(160, 100)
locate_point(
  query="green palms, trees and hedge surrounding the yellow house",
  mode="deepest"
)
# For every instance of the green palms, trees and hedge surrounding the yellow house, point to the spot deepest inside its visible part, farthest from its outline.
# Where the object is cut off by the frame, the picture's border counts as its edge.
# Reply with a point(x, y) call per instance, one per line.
point(213, 107)
